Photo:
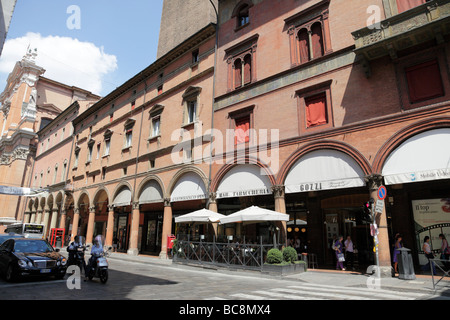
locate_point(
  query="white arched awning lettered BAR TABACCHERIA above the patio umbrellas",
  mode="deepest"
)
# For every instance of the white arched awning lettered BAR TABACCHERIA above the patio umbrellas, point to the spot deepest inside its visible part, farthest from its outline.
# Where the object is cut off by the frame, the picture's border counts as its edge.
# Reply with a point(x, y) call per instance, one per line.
point(244, 180)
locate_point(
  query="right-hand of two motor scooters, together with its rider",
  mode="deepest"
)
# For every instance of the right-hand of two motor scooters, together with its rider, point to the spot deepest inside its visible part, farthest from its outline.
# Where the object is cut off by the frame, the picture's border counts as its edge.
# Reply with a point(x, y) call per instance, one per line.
point(98, 264)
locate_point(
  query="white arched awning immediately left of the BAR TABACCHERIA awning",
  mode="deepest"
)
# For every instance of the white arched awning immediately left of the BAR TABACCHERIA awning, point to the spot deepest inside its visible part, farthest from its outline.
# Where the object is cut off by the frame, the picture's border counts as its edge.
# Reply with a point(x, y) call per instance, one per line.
point(189, 187)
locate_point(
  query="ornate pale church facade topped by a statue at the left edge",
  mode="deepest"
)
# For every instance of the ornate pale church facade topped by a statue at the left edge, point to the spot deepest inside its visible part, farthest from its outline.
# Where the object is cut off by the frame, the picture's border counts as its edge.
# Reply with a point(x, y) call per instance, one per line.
point(29, 102)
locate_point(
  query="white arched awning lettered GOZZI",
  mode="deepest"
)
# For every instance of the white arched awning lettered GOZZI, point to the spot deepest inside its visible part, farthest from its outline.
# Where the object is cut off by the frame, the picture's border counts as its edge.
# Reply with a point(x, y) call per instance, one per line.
point(324, 170)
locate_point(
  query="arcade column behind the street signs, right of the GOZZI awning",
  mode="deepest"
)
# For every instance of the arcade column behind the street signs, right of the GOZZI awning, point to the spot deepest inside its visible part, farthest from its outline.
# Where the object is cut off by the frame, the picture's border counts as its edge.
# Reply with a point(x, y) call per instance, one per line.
point(384, 254)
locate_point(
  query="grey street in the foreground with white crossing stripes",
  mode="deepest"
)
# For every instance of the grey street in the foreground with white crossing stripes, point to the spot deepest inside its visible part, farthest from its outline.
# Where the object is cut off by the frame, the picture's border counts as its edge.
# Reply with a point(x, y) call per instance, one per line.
point(140, 281)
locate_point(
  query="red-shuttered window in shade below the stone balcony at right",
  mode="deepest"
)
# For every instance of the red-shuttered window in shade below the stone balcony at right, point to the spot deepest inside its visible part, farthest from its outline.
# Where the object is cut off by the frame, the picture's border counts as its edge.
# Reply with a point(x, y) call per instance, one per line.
point(424, 81)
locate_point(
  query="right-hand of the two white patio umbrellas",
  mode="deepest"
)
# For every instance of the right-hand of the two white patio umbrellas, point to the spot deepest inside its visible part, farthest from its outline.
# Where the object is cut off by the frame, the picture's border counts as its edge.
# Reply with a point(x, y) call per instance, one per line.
point(254, 214)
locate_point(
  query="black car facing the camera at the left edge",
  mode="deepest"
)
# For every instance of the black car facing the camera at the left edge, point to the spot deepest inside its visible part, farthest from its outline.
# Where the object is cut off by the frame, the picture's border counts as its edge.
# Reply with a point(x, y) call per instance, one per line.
point(20, 257)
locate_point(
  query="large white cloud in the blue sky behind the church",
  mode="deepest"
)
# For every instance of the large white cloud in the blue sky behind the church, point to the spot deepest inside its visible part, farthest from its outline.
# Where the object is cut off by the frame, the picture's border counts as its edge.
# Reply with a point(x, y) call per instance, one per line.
point(65, 59)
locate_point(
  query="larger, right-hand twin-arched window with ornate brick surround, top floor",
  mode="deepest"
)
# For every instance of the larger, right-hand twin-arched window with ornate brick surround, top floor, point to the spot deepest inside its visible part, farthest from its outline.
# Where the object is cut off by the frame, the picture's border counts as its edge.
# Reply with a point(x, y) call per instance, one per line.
point(309, 34)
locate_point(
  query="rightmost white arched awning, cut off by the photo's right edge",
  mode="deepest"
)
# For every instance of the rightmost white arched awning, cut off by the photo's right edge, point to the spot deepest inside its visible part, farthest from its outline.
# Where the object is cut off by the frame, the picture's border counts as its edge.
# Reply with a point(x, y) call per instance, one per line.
point(424, 157)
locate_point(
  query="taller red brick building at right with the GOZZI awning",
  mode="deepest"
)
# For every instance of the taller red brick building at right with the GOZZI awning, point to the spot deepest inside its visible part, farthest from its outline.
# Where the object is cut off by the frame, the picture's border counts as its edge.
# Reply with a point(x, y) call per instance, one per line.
point(349, 99)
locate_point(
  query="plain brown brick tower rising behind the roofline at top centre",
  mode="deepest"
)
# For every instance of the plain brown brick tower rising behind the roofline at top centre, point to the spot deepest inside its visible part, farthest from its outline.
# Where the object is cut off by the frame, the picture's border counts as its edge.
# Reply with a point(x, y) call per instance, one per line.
point(181, 19)
